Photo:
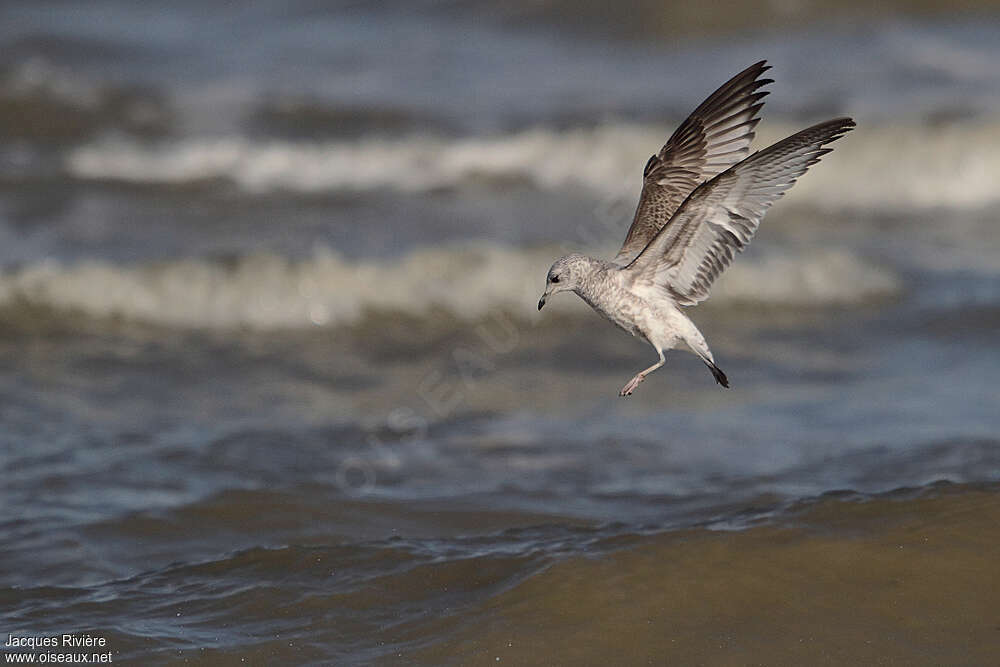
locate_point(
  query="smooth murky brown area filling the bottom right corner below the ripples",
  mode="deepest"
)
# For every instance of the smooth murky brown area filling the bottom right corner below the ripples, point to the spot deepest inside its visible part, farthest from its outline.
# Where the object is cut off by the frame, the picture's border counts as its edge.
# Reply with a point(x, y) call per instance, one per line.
point(885, 581)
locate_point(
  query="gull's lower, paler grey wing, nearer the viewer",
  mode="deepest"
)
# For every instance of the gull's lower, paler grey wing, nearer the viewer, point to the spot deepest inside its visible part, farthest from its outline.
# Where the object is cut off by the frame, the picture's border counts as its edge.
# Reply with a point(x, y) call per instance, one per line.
point(720, 217)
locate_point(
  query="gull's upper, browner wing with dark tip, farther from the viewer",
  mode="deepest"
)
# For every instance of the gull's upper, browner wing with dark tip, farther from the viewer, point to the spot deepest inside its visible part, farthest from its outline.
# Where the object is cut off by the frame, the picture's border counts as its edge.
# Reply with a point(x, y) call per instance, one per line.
point(713, 138)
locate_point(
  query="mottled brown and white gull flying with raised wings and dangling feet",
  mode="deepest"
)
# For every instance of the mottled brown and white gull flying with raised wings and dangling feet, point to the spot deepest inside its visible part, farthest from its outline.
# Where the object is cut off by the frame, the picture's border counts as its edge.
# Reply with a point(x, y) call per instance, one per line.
point(703, 197)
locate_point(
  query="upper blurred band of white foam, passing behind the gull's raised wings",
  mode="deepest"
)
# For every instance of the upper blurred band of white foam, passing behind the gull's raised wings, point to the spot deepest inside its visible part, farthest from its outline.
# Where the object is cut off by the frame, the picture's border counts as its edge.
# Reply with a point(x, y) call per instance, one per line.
point(901, 167)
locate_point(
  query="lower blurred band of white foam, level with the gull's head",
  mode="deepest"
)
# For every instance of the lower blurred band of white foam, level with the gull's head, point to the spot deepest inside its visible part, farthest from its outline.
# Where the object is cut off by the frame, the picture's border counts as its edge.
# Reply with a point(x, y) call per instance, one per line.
point(469, 282)
